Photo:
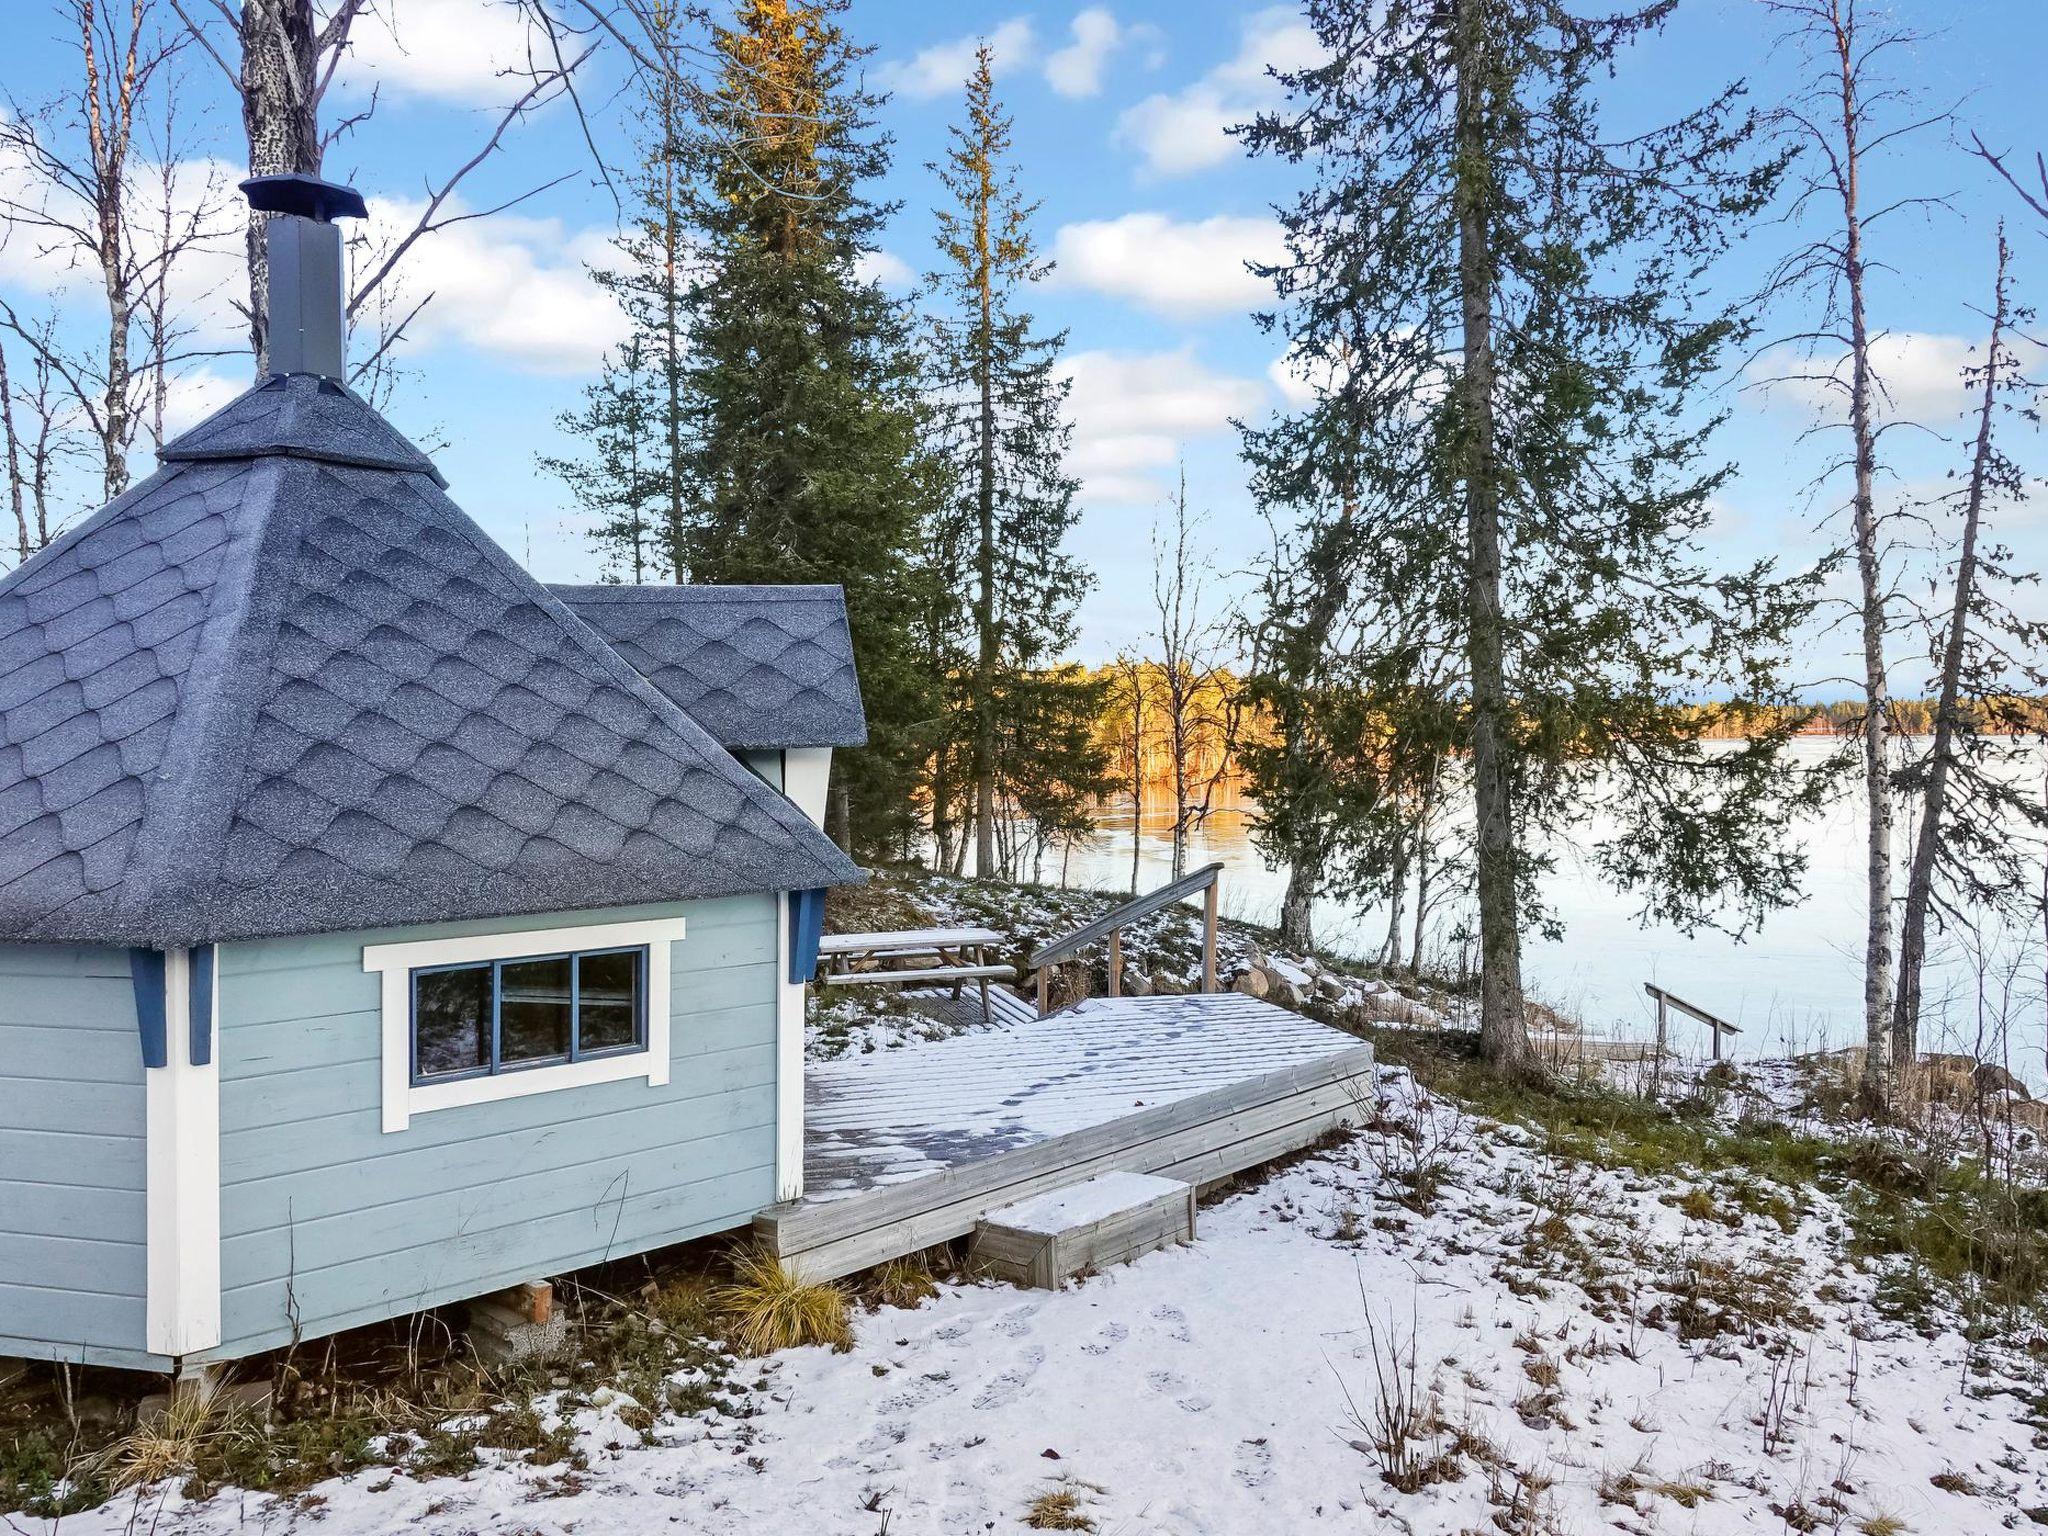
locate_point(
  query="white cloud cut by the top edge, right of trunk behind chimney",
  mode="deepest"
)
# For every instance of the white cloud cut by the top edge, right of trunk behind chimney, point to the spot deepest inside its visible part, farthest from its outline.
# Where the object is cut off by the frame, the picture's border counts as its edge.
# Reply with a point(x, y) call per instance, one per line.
point(456, 50)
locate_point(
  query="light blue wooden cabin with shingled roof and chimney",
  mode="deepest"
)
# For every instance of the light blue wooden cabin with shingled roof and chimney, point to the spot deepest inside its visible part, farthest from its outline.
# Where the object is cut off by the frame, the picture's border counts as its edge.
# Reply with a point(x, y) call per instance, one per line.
point(378, 927)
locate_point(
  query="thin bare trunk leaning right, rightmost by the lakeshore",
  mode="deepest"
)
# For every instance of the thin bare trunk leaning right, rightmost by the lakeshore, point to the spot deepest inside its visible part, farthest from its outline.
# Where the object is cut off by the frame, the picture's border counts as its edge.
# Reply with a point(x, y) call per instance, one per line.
point(1934, 802)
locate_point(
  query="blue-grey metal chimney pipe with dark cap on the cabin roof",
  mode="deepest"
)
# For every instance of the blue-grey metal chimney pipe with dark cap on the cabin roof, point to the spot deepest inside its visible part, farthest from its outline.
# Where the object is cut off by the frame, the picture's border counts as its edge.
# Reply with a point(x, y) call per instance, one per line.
point(306, 318)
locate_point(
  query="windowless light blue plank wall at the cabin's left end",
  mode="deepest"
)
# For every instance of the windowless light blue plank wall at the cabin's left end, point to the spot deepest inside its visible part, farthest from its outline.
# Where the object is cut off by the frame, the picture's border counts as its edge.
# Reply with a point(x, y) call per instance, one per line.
point(73, 1211)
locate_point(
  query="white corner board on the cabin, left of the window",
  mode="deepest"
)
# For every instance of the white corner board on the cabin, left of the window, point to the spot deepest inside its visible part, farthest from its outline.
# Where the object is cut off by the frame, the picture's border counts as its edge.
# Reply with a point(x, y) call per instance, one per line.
point(183, 1177)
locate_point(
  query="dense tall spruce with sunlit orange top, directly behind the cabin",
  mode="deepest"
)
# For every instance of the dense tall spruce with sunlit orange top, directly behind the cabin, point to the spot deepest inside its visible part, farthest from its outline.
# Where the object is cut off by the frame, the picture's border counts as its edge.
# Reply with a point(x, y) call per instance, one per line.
point(802, 423)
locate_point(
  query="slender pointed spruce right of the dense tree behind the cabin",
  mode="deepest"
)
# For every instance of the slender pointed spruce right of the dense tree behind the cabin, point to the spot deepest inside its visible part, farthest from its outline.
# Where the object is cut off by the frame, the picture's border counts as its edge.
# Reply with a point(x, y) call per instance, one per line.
point(1000, 411)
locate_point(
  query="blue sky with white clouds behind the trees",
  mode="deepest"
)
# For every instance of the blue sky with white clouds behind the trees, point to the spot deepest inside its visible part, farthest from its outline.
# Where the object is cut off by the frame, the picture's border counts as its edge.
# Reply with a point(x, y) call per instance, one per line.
point(1150, 214)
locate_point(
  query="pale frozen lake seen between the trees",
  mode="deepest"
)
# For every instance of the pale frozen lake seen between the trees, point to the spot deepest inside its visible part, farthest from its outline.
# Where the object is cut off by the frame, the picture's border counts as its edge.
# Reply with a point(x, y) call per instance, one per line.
point(1795, 986)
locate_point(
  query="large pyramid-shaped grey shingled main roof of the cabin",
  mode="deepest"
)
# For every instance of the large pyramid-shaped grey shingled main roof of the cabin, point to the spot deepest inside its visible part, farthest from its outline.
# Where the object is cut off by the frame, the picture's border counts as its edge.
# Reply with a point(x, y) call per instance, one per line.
point(280, 691)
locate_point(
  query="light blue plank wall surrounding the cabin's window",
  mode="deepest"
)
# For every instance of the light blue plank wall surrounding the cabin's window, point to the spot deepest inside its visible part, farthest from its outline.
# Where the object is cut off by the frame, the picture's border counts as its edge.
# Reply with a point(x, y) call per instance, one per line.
point(327, 1215)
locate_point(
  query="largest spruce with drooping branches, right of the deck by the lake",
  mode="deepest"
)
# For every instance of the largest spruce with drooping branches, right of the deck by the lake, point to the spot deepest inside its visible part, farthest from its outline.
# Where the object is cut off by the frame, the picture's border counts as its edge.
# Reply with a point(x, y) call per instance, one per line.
point(1500, 310)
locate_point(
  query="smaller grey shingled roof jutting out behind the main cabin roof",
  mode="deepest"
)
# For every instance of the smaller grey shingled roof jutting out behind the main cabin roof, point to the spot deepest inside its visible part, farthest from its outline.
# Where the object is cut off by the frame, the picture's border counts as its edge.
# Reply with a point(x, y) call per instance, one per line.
point(759, 667)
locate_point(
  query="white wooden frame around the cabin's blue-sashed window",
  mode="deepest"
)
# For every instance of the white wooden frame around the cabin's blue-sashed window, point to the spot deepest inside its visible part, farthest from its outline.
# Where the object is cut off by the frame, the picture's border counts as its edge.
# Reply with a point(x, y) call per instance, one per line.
point(398, 962)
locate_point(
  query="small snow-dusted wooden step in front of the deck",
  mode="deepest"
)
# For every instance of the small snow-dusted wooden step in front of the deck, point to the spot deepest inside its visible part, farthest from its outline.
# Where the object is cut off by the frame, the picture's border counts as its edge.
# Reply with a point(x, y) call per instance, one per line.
point(1091, 1226)
